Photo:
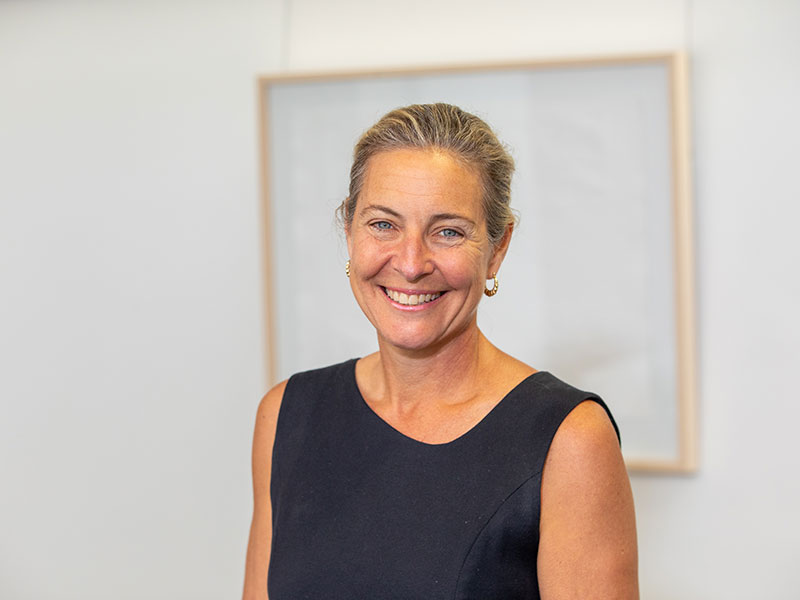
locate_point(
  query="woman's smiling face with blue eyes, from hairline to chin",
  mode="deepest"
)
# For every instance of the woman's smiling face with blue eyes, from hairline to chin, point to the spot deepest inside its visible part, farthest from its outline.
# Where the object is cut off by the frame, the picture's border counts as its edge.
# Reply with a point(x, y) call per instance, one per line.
point(419, 251)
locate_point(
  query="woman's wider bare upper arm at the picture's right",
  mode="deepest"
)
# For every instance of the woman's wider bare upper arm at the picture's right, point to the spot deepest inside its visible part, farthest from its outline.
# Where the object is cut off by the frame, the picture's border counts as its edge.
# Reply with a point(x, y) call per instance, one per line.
point(587, 542)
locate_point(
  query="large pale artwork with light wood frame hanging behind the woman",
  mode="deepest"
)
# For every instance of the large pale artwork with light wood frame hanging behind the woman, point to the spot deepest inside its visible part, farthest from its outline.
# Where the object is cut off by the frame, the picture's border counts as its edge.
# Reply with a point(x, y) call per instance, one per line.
point(597, 286)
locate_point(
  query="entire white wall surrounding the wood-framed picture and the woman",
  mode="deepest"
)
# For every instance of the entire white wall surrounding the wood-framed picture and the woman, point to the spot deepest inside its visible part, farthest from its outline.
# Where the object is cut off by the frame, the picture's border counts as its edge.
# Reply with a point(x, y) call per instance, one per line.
point(131, 340)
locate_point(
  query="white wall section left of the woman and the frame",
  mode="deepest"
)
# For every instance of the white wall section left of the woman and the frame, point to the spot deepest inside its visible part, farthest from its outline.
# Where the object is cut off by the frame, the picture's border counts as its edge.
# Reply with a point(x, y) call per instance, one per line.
point(131, 343)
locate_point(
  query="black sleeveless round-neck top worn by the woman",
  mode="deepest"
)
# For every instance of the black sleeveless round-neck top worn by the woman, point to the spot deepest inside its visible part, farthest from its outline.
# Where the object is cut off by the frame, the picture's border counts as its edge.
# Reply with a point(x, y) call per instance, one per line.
point(361, 511)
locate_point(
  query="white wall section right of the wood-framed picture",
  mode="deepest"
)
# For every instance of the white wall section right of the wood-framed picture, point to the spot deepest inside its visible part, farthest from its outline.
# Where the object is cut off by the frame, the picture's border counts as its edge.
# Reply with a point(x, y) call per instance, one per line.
point(733, 531)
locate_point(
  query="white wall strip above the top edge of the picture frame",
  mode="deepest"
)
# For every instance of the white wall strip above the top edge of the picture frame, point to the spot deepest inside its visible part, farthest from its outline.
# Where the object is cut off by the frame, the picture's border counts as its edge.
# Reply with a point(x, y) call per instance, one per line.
point(360, 33)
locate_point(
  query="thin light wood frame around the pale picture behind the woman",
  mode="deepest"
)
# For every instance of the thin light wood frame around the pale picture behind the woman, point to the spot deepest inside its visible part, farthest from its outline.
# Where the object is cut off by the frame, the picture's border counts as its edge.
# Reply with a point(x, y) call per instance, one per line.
point(685, 460)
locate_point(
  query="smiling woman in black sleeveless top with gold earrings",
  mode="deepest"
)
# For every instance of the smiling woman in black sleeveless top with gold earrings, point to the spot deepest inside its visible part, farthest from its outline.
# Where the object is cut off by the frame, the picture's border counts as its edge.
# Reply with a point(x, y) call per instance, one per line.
point(439, 466)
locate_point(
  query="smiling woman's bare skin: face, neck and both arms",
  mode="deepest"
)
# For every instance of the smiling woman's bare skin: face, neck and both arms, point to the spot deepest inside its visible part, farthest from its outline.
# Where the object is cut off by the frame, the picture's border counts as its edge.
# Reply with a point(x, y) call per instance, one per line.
point(418, 228)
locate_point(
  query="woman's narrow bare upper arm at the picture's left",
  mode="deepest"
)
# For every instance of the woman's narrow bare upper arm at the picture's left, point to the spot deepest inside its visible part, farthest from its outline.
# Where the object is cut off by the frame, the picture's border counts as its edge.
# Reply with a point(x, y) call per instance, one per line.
point(258, 547)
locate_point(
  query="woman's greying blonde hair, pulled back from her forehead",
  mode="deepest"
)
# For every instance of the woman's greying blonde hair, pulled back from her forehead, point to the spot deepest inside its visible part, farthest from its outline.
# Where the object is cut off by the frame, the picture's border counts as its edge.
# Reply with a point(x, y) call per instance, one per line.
point(445, 128)
